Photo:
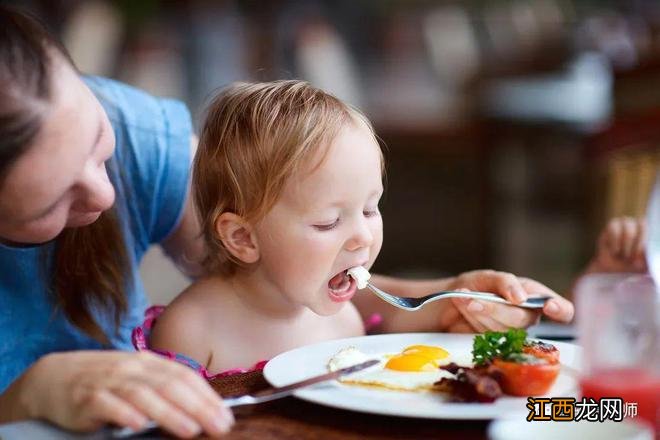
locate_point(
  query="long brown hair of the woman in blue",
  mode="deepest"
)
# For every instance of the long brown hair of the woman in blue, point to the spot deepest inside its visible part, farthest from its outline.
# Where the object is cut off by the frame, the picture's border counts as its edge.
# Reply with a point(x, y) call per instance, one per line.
point(90, 267)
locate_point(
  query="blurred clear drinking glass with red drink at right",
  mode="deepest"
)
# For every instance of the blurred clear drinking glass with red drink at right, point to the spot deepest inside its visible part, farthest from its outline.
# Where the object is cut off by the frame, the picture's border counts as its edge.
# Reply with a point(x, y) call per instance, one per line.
point(618, 320)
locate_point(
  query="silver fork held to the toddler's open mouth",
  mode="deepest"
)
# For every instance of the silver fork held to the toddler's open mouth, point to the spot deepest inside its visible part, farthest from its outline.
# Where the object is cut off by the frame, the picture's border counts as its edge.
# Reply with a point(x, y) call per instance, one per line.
point(412, 304)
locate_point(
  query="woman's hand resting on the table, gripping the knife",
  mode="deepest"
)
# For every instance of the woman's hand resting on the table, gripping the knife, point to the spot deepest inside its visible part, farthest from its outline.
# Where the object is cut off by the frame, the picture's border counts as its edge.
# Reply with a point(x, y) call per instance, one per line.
point(84, 390)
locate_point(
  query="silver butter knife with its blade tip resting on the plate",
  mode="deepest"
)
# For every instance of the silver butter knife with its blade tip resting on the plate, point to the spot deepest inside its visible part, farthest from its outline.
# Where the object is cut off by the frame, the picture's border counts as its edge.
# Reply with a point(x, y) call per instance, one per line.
point(261, 396)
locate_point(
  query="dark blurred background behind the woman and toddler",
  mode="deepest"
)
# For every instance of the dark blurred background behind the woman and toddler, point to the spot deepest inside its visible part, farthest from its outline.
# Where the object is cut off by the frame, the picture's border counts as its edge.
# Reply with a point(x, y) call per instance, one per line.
point(513, 129)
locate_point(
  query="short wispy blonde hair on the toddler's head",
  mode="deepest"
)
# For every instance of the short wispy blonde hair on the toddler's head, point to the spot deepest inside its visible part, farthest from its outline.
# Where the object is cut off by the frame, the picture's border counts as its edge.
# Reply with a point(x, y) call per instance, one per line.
point(254, 138)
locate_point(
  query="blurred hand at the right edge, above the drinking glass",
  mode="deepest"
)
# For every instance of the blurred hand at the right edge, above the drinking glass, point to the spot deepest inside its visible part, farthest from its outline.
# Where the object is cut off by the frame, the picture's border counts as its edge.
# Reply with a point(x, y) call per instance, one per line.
point(620, 247)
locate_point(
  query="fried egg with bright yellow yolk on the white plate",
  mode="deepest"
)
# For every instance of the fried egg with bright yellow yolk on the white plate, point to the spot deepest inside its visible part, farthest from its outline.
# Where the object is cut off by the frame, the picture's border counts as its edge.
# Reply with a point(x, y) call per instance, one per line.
point(415, 368)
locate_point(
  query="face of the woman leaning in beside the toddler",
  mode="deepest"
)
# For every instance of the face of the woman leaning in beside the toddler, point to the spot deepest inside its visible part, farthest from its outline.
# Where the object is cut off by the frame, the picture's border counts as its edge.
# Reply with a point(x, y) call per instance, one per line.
point(60, 181)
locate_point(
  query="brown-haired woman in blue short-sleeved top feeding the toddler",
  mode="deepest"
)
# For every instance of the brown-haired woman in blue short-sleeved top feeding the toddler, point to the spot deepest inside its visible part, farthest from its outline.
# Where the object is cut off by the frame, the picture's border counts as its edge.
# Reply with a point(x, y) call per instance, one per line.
point(92, 172)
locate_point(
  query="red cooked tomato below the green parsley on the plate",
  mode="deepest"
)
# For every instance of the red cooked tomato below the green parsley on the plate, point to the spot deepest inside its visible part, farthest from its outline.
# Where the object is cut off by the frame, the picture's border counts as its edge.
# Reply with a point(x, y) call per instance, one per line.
point(527, 379)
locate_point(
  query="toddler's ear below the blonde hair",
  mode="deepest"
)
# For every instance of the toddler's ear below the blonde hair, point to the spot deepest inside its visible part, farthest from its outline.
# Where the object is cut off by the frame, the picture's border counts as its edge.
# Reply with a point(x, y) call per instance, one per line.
point(237, 236)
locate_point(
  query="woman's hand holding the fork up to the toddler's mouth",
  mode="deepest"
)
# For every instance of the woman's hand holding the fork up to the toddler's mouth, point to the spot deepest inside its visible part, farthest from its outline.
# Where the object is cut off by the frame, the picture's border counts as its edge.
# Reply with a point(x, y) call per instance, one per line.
point(476, 315)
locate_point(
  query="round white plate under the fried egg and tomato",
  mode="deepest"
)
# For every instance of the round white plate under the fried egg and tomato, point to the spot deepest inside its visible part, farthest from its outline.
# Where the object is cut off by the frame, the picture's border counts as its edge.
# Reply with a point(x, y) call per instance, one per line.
point(311, 360)
